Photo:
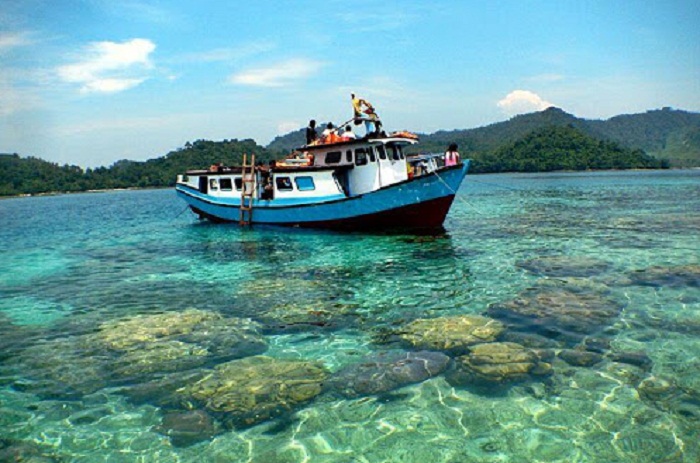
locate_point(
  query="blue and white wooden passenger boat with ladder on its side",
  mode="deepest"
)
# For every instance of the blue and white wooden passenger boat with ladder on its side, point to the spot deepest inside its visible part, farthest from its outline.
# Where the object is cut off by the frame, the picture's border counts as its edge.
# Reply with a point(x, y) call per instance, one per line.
point(357, 184)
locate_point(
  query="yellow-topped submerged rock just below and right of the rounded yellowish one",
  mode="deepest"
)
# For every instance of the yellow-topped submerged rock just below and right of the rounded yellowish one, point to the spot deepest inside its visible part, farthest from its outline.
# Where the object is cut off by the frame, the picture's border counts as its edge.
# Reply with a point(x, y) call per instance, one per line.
point(497, 362)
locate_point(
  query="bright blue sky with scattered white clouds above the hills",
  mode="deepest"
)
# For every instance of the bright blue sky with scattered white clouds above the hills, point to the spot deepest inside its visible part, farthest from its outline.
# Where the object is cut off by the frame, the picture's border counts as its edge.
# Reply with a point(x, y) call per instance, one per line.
point(91, 82)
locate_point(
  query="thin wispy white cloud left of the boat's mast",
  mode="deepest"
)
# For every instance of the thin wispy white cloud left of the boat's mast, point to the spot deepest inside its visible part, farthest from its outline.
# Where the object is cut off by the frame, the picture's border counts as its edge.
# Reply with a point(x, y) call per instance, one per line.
point(277, 75)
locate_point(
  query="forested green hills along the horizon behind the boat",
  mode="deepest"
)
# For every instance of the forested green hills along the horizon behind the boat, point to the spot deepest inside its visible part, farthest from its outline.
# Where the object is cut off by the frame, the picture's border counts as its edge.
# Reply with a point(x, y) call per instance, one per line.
point(549, 140)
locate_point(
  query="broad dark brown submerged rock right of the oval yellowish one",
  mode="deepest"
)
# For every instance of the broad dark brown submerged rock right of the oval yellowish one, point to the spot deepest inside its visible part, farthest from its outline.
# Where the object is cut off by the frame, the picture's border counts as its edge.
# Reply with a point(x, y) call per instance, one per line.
point(557, 314)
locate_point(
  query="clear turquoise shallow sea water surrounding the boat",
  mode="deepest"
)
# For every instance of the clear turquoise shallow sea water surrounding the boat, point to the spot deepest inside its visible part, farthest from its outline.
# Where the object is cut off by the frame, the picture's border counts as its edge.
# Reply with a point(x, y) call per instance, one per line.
point(98, 293)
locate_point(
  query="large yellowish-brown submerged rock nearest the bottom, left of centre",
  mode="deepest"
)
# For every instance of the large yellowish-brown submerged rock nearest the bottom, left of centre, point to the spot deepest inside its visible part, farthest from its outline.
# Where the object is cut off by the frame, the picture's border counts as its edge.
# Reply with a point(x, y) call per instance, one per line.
point(255, 389)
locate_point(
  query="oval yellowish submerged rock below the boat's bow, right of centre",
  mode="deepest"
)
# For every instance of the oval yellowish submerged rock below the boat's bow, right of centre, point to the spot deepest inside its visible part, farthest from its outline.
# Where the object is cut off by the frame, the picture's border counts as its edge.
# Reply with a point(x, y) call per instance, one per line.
point(451, 334)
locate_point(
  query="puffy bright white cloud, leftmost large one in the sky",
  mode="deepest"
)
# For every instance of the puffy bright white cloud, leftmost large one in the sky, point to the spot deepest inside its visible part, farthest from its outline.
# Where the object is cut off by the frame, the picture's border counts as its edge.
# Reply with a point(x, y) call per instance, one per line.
point(110, 67)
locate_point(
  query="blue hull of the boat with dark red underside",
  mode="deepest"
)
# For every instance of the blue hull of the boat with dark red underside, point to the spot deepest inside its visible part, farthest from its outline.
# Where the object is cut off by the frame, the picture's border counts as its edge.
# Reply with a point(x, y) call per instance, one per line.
point(418, 203)
